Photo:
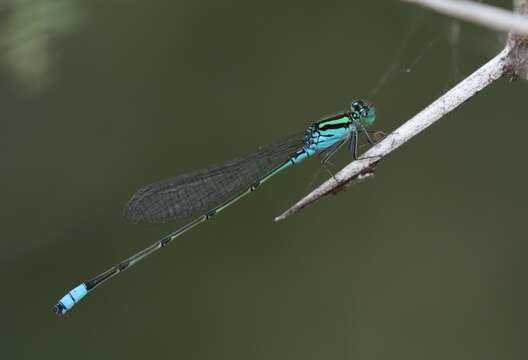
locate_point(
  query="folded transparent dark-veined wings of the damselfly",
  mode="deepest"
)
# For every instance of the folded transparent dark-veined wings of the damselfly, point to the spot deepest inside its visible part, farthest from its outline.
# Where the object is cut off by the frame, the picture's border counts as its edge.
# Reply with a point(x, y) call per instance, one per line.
point(204, 189)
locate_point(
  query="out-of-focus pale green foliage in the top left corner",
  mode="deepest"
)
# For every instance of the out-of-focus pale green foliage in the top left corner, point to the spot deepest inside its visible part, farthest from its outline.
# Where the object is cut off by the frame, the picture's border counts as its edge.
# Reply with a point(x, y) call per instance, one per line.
point(27, 37)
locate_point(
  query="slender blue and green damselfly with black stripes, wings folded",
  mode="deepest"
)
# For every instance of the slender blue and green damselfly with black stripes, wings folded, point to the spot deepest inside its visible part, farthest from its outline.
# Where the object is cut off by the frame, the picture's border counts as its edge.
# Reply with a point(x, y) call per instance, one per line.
point(213, 189)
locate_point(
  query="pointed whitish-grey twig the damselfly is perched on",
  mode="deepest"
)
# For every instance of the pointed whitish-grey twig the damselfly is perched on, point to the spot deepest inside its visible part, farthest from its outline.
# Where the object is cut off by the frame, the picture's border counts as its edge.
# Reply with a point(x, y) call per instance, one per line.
point(512, 59)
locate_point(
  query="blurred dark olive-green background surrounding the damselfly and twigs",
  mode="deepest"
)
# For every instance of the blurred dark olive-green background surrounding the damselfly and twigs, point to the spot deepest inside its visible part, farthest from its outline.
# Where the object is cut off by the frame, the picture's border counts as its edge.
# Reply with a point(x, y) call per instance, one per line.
point(101, 97)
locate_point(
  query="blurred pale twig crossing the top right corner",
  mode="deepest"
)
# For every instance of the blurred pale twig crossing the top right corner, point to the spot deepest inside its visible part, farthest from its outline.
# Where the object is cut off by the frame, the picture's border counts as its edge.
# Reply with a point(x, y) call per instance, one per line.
point(481, 14)
